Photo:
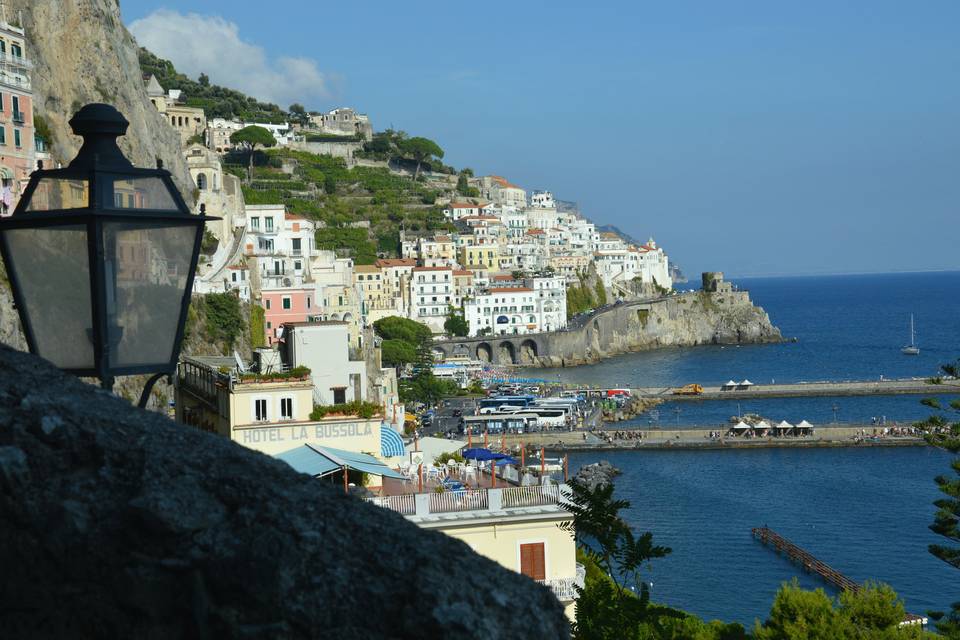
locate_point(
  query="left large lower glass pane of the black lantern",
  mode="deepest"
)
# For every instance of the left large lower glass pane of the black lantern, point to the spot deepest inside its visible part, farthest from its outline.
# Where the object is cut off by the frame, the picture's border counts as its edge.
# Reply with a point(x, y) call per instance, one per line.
point(52, 271)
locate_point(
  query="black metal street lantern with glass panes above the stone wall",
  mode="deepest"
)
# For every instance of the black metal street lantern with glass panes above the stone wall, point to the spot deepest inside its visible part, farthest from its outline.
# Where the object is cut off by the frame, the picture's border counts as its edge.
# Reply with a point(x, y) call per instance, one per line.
point(101, 257)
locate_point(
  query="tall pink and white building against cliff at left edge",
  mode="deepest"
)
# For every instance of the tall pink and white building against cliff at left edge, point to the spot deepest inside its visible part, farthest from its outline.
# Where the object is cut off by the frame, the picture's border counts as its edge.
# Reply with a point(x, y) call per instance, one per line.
point(17, 154)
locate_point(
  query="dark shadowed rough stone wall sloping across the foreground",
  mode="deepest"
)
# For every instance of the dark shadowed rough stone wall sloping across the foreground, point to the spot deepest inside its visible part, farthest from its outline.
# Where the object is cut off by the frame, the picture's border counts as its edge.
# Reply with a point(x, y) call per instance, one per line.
point(119, 523)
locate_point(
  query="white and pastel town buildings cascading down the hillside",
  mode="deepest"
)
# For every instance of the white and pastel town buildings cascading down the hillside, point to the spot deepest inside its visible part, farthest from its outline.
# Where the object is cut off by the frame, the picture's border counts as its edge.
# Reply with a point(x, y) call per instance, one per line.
point(316, 392)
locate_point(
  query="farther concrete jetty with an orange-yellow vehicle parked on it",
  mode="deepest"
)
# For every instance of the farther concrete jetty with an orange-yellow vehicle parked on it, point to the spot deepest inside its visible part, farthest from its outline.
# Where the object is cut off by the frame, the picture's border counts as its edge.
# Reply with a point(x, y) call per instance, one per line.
point(918, 386)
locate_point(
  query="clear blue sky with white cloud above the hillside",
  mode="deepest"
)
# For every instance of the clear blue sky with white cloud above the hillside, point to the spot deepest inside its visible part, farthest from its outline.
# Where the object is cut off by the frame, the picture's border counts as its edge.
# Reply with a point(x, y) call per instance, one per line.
point(758, 138)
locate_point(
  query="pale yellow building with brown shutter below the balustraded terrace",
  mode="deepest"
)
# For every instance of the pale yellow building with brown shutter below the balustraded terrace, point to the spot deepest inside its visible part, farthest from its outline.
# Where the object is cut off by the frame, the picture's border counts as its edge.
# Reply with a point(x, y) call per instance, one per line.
point(517, 527)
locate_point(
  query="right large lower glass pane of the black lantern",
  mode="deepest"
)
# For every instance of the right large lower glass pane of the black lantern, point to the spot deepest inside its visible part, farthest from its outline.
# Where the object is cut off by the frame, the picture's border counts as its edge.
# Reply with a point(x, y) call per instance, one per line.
point(146, 269)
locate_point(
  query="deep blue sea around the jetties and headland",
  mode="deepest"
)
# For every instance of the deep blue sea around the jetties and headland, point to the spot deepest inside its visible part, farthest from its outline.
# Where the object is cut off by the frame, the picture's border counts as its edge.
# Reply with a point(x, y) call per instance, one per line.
point(863, 511)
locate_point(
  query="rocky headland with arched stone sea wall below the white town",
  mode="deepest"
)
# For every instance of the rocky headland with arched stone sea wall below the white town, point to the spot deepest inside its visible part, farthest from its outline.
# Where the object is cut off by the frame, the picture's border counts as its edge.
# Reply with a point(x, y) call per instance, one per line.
point(678, 320)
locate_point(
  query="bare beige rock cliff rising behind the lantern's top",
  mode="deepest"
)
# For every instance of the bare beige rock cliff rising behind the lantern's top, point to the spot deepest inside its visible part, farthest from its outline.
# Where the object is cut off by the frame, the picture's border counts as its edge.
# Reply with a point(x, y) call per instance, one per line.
point(82, 53)
